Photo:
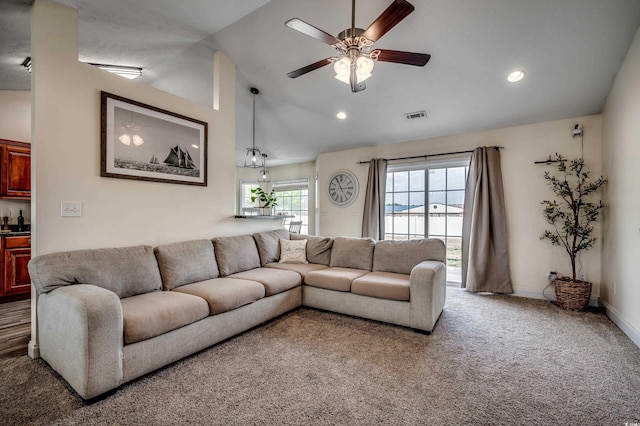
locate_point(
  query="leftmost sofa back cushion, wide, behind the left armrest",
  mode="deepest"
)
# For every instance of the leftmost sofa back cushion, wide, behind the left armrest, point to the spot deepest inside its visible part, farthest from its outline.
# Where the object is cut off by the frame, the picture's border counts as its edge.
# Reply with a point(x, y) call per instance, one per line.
point(126, 271)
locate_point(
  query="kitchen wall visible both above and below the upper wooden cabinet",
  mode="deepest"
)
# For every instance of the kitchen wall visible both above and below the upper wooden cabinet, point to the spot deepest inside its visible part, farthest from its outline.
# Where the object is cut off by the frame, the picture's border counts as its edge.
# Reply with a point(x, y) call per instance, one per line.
point(15, 124)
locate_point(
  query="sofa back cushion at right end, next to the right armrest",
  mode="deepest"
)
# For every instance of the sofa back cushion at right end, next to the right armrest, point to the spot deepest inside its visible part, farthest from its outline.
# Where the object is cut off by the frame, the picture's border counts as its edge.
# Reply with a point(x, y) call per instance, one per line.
point(401, 256)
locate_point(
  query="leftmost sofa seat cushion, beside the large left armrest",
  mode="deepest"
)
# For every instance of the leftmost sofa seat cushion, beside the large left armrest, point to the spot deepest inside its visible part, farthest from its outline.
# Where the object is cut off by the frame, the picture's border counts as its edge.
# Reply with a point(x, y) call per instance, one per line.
point(152, 314)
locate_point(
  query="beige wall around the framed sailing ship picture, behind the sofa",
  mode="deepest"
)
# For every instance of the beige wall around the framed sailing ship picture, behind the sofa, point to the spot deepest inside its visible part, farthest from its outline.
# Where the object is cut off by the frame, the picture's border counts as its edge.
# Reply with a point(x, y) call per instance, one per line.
point(66, 167)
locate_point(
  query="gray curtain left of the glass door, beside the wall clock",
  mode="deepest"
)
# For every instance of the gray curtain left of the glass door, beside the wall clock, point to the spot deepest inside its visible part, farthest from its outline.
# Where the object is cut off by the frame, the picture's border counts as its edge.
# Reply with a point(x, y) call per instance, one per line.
point(373, 218)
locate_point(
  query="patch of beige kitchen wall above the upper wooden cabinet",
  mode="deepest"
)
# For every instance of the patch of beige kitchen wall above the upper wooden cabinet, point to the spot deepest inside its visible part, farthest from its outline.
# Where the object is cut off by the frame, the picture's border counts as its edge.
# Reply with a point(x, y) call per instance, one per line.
point(15, 115)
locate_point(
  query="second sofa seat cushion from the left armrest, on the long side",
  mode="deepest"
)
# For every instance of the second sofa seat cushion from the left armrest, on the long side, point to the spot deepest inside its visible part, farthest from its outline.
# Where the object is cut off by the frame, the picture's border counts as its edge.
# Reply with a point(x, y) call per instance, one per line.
point(224, 294)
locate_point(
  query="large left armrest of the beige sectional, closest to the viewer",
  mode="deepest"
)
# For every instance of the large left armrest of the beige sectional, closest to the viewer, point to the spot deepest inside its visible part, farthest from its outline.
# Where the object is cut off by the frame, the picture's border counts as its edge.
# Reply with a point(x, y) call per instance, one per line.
point(81, 337)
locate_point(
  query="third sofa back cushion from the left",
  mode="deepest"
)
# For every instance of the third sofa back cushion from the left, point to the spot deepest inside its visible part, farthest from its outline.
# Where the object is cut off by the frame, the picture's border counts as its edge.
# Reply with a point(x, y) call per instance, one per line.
point(236, 254)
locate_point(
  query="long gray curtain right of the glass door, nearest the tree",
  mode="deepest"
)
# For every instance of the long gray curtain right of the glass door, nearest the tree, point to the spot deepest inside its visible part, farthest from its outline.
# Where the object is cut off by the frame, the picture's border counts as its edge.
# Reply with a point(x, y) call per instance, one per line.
point(485, 257)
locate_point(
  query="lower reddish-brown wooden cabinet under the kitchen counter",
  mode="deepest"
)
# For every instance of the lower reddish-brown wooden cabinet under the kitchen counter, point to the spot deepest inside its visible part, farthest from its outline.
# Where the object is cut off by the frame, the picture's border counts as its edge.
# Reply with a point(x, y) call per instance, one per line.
point(15, 255)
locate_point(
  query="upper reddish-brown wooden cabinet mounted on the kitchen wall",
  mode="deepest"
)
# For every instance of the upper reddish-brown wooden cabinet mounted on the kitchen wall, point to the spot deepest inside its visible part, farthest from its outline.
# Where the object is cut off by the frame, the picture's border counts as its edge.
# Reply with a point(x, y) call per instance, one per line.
point(15, 169)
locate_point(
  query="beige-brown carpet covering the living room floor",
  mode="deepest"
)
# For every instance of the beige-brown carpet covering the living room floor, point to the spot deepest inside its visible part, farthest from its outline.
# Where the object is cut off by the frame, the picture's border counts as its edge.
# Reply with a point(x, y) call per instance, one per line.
point(493, 360)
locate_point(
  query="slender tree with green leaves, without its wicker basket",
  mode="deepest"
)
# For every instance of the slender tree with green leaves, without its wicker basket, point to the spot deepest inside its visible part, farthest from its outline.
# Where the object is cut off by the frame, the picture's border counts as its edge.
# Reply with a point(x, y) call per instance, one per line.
point(571, 213)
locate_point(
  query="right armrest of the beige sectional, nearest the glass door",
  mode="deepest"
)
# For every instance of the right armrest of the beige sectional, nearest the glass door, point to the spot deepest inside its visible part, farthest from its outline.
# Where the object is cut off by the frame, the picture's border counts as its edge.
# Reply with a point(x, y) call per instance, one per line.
point(427, 293)
